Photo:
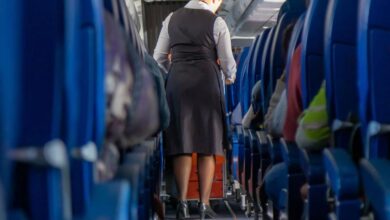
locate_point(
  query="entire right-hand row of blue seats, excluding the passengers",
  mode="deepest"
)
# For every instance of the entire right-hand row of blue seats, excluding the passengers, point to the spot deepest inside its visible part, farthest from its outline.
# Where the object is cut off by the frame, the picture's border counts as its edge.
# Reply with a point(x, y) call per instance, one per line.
point(343, 42)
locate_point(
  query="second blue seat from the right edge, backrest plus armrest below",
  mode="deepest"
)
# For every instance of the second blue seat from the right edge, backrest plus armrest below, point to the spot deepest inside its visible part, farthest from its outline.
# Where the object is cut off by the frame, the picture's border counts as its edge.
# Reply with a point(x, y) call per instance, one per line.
point(341, 92)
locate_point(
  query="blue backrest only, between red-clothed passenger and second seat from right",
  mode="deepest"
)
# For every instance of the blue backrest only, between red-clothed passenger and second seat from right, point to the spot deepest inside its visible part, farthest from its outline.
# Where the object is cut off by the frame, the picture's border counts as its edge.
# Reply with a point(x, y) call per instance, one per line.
point(312, 50)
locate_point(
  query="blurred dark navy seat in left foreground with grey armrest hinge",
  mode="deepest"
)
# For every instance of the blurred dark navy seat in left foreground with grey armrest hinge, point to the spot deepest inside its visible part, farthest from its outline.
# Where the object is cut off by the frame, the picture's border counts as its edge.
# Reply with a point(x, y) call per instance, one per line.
point(41, 184)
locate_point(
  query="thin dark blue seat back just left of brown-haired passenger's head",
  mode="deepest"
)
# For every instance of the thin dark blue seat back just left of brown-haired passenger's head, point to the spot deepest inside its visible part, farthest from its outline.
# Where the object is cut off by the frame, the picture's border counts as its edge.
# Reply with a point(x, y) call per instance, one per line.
point(265, 69)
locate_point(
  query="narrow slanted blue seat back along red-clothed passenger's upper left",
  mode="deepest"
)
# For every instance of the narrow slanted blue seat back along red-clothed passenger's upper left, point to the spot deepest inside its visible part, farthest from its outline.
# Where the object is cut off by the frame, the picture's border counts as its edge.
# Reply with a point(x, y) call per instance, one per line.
point(294, 42)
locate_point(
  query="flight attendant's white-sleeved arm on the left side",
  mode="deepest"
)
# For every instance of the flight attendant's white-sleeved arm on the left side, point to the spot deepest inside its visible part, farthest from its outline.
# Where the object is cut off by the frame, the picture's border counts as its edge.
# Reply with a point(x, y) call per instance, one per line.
point(161, 52)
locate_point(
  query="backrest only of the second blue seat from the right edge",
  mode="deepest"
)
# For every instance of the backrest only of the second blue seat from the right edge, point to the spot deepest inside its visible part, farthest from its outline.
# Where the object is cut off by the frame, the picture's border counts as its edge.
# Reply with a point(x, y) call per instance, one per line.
point(340, 59)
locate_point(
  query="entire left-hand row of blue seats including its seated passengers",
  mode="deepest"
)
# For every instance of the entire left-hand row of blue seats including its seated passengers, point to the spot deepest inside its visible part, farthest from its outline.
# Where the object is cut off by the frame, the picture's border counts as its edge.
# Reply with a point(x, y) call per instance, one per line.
point(73, 145)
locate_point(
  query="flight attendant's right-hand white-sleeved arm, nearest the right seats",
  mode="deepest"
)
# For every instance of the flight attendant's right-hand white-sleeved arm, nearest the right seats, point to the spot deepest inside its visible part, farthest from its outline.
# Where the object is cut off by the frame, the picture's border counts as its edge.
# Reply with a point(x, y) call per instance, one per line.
point(224, 49)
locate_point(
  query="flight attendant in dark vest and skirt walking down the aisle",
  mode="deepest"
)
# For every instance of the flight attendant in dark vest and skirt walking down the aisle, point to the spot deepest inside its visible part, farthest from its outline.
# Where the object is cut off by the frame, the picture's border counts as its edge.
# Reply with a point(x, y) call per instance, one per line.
point(199, 46)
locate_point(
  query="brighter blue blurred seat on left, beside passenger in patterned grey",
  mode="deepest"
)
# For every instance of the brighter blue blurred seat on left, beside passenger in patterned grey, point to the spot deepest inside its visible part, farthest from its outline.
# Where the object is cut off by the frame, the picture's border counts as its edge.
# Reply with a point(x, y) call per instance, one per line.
point(85, 105)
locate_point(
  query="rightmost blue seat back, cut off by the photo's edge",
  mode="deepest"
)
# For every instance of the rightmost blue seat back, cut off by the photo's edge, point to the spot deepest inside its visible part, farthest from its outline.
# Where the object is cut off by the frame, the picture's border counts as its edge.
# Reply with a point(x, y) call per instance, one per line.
point(373, 69)
